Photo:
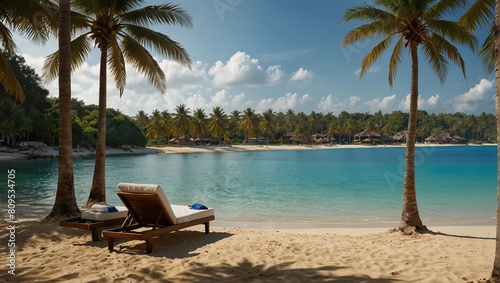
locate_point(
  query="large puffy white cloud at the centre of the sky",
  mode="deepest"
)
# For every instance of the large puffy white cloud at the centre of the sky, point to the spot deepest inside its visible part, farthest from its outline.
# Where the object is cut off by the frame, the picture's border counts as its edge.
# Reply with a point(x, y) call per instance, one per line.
point(242, 70)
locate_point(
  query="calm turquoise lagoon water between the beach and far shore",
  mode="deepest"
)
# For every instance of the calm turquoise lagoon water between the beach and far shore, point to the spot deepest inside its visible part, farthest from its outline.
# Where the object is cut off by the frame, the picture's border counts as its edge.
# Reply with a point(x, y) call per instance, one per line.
point(322, 186)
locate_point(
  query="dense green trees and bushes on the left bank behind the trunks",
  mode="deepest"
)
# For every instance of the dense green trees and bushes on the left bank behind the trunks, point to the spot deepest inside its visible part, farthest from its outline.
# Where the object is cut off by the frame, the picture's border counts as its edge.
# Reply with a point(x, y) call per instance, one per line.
point(38, 117)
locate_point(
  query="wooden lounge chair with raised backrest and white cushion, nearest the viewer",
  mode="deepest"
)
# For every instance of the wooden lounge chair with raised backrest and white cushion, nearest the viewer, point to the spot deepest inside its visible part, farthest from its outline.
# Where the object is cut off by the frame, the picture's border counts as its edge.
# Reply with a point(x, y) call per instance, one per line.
point(151, 215)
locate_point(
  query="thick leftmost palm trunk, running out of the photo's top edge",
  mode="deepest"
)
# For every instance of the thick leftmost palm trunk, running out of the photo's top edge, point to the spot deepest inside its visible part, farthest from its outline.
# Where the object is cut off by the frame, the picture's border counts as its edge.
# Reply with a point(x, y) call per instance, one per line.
point(65, 203)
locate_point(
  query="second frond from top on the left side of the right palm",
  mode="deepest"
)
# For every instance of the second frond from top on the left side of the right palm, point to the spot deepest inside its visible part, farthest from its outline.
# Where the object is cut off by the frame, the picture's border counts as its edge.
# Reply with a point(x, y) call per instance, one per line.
point(369, 30)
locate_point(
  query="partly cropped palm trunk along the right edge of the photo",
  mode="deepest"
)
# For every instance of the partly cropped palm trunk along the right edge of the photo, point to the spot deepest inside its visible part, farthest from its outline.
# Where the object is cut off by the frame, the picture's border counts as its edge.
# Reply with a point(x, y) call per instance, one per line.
point(495, 275)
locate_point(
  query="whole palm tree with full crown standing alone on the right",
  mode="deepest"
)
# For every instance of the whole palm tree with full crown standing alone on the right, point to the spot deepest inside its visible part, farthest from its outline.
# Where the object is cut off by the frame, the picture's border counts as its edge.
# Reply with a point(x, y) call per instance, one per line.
point(413, 24)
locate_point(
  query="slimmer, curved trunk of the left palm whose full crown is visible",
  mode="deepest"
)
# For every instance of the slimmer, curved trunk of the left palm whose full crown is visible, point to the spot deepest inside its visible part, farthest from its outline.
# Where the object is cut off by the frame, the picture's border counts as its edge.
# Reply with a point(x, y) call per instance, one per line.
point(98, 190)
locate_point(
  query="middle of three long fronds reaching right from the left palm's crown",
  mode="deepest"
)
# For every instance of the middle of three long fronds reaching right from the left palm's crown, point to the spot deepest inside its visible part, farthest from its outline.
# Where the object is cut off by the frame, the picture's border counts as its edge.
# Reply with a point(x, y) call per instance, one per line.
point(160, 43)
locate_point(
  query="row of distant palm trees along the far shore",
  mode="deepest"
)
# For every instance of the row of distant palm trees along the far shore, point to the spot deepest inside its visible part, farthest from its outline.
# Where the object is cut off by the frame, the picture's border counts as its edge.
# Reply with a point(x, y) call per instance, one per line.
point(271, 125)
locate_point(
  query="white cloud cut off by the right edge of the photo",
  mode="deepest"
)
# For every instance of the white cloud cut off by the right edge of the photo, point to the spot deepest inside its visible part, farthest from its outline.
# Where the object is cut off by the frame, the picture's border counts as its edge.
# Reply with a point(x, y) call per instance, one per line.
point(481, 95)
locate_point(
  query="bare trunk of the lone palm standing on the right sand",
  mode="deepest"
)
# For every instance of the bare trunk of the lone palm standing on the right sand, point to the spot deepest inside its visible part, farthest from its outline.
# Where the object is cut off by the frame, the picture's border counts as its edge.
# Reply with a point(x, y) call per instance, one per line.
point(410, 216)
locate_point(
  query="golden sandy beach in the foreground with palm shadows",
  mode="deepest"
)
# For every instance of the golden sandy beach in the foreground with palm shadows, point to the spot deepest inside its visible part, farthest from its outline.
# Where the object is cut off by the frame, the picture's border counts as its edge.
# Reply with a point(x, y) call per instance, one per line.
point(46, 252)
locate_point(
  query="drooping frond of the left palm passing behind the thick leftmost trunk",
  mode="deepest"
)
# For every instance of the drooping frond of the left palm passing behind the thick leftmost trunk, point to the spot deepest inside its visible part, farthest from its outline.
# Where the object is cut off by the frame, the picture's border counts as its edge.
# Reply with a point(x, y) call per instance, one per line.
point(81, 47)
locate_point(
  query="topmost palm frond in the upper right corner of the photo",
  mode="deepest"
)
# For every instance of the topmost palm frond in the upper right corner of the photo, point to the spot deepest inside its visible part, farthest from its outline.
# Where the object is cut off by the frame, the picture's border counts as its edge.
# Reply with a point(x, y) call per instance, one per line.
point(480, 14)
